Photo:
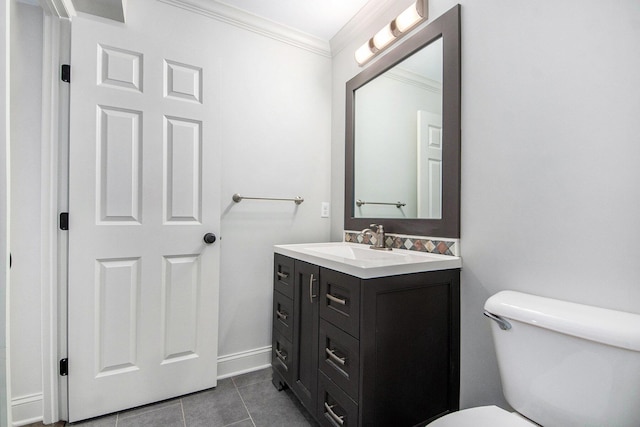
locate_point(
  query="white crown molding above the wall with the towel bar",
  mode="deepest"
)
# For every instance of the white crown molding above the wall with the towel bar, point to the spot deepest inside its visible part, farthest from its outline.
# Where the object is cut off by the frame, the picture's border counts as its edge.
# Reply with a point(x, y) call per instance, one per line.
point(254, 23)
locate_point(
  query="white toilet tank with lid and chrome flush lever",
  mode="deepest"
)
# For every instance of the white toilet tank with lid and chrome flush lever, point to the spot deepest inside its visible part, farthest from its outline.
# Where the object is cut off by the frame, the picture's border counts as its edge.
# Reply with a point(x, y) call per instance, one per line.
point(564, 364)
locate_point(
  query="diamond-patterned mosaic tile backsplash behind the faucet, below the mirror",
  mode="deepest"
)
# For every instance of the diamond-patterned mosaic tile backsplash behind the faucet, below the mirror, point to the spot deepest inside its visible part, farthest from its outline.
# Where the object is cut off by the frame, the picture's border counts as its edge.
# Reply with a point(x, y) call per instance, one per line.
point(412, 243)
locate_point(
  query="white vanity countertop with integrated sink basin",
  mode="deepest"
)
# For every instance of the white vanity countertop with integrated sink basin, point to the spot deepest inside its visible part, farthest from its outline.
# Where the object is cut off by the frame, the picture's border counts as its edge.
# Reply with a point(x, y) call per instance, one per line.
point(361, 261)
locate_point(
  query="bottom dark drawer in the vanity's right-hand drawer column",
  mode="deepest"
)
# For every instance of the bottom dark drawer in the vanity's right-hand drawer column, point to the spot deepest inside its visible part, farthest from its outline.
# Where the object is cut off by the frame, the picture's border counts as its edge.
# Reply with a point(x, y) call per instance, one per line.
point(335, 408)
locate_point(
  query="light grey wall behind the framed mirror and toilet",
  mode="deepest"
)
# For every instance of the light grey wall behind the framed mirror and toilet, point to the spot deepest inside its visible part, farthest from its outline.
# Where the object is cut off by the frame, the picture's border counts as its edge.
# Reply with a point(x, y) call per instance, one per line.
point(550, 154)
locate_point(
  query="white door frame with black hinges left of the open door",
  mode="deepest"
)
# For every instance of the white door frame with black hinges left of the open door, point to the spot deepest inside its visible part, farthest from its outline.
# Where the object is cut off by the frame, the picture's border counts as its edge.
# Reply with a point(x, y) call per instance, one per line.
point(53, 200)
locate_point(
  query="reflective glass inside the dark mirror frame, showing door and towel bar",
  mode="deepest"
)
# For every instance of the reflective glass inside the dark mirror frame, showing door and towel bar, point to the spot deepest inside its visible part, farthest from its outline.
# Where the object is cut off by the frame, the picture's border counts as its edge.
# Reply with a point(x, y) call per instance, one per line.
point(398, 140)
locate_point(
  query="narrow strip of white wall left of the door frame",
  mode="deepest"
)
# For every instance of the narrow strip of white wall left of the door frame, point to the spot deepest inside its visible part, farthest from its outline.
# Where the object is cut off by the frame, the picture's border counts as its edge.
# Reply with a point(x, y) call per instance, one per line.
point(25, 300)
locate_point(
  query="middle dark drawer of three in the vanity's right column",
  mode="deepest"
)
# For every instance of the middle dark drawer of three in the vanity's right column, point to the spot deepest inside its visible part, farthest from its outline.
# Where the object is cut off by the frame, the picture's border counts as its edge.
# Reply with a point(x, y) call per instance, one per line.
point(339, 358)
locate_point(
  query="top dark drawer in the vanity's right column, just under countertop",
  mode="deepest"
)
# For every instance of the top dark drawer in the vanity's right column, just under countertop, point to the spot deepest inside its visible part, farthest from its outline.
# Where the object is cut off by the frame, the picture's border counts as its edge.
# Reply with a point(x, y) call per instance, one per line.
point(340, 300)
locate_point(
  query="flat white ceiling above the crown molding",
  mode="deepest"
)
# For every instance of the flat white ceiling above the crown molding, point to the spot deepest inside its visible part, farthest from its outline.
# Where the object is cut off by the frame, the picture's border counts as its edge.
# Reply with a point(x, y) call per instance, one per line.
point(320, 18)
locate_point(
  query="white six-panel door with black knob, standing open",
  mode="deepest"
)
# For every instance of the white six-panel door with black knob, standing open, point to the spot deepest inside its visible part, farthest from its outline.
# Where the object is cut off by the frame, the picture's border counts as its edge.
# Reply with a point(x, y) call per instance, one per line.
point(144, 189)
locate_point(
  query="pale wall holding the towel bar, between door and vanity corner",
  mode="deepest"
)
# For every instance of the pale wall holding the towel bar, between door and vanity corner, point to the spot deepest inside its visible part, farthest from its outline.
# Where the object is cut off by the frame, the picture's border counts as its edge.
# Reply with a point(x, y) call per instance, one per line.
point(276, 144)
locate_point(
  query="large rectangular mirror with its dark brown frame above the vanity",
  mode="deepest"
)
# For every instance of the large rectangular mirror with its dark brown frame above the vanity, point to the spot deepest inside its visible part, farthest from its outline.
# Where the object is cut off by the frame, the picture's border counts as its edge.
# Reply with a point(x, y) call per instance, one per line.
point(403, 136)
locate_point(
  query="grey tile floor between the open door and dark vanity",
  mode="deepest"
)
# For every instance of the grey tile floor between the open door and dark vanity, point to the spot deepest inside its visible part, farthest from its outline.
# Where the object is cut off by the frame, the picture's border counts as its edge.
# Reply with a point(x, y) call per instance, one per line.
point(248, 400)
